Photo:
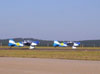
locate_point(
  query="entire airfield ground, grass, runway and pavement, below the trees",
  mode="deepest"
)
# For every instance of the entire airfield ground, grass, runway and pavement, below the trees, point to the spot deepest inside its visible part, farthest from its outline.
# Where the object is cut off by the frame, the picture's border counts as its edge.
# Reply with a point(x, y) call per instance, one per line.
point(49, 60)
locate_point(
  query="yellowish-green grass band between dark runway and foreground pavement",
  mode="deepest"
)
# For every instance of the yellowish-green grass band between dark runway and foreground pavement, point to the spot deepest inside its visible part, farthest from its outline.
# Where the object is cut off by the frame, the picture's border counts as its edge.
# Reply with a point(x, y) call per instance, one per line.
point(72, 55)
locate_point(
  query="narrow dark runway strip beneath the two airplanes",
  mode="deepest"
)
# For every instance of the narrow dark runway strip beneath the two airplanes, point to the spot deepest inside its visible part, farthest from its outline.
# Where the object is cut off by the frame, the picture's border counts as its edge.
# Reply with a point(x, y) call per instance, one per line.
point(50, 49)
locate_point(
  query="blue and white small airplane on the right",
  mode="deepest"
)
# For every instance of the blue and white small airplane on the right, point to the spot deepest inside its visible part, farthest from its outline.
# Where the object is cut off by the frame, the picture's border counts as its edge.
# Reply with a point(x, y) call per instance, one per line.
point(65, 44)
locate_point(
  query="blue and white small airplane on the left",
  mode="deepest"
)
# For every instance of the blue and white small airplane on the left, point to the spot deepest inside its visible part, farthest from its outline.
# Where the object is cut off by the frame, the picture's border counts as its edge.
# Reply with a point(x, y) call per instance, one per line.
point(29, 43)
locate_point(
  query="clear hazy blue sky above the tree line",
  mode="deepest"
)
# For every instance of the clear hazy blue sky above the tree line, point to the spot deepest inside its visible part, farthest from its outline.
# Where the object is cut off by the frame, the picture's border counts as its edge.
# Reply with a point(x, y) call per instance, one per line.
point(50, 19)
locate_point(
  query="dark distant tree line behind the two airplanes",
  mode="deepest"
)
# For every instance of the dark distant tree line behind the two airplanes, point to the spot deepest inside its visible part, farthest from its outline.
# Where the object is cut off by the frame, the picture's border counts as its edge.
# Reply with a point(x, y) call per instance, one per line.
point(84, 43)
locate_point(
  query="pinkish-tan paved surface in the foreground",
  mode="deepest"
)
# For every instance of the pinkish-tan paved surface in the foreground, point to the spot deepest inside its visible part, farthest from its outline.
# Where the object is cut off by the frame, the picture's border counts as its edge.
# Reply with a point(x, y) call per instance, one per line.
point(47, 66)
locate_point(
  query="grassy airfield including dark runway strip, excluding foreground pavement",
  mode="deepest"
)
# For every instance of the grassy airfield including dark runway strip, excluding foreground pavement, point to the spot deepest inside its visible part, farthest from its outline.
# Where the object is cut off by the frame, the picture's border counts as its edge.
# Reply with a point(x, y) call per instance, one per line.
point(86, 53)
